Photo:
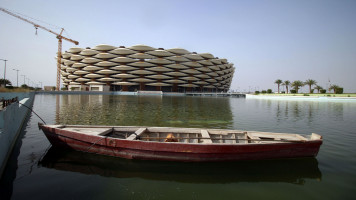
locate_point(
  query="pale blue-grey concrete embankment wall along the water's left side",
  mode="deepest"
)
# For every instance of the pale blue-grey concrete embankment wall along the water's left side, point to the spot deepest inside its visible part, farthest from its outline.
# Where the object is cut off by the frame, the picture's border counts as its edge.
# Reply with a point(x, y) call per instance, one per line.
point(12, 119)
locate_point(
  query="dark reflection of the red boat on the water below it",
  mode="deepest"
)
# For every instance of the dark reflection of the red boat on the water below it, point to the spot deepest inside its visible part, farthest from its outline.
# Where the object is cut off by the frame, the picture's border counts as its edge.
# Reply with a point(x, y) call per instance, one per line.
point(295, 171)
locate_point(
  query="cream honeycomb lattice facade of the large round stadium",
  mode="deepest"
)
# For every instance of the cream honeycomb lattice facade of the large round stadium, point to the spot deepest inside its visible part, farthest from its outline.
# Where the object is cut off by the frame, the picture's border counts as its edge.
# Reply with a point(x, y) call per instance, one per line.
point(142, 67)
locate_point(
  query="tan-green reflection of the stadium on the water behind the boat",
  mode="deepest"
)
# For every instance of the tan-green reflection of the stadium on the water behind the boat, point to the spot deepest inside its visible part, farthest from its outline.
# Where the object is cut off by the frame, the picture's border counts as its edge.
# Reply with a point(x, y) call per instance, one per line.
point(145, 110)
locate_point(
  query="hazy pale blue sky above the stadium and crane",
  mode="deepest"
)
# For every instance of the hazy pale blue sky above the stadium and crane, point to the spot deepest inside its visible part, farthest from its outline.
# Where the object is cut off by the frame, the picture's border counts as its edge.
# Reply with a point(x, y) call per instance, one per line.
point(265, 40)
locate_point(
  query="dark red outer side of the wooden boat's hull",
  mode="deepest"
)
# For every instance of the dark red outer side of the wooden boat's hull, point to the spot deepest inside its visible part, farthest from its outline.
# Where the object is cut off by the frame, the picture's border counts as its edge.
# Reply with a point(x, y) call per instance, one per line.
point(173, 151)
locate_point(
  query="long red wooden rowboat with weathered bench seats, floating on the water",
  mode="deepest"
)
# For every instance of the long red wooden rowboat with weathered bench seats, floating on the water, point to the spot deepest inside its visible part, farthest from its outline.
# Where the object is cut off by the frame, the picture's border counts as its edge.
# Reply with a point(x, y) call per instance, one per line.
point(182, 144)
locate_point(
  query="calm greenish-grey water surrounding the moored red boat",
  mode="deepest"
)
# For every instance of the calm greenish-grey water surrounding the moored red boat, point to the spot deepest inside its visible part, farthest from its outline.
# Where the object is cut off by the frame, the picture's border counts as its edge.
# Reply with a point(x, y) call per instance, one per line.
point(37, 171)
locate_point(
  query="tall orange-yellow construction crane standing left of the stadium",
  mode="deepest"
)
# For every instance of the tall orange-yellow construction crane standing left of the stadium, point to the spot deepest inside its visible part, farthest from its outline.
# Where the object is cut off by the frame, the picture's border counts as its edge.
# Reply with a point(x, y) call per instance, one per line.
point(59, 37)
